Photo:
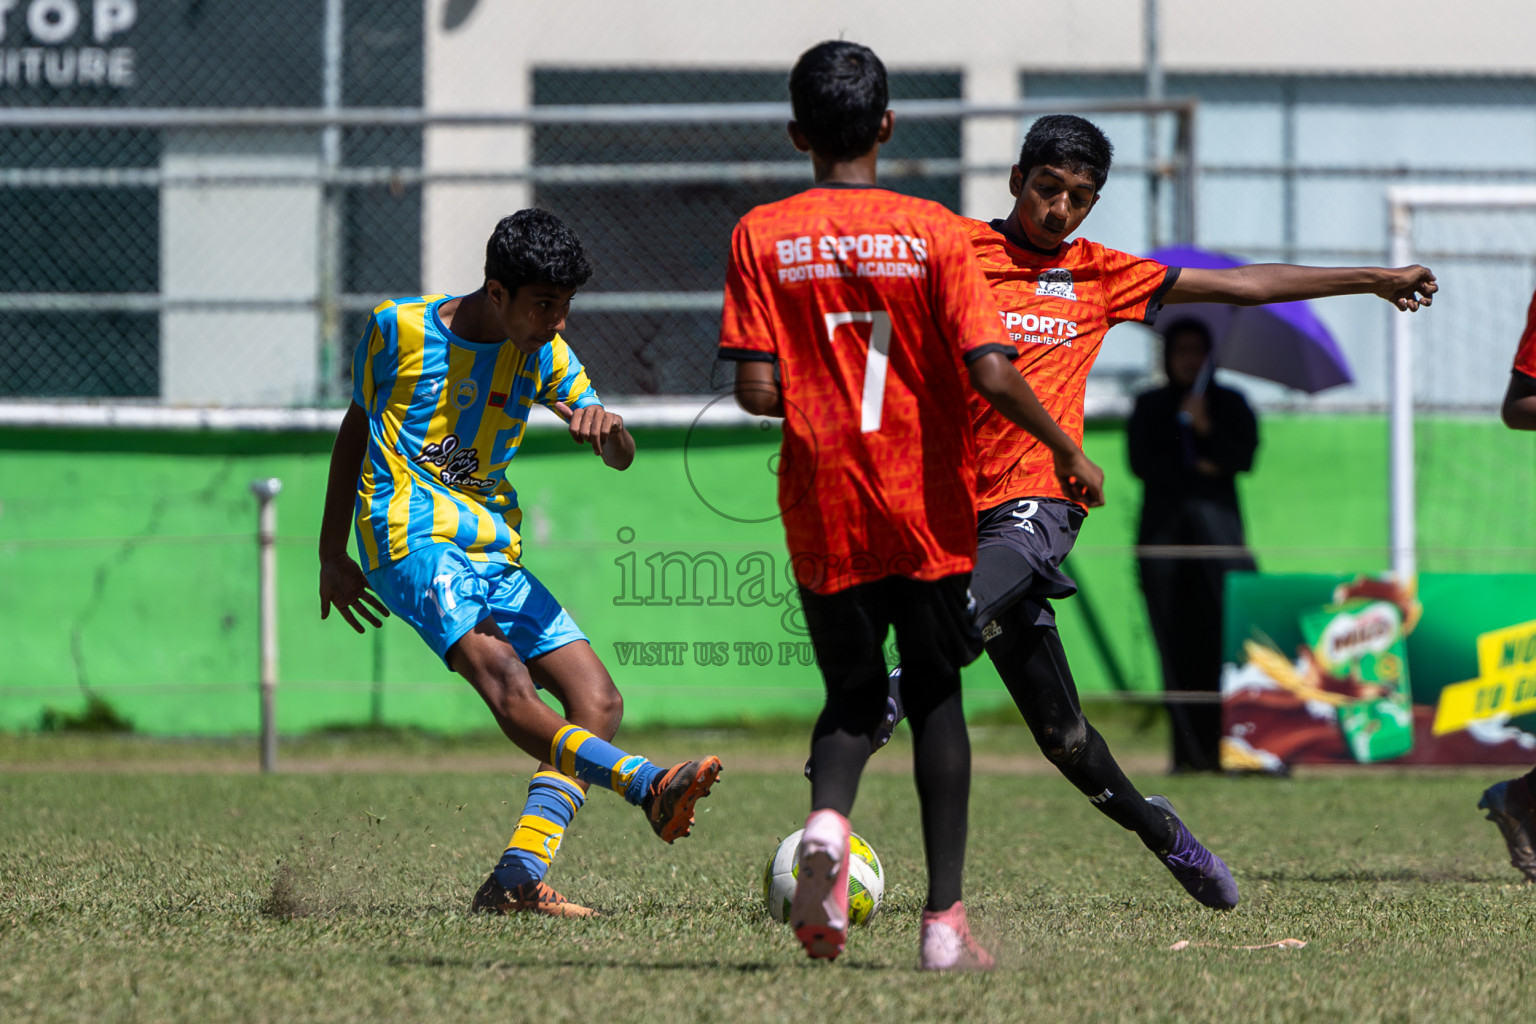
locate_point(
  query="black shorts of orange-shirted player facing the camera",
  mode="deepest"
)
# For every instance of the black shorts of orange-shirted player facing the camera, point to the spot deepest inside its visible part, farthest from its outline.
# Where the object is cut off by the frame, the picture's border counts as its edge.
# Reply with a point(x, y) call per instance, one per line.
point(1021, 546)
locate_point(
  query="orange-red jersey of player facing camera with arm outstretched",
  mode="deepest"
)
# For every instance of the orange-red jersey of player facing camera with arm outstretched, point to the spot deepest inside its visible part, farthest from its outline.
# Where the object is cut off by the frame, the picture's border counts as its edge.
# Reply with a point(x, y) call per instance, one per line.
point(1056, 309)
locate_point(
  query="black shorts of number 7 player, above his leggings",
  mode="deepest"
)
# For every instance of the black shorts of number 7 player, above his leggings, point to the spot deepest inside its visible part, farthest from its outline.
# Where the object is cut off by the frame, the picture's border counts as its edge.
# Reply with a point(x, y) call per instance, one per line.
point(935, 627)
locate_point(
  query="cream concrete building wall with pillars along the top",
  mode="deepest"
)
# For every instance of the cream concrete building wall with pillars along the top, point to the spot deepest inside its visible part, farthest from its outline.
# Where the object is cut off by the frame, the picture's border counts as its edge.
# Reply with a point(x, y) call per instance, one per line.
point(482, 55)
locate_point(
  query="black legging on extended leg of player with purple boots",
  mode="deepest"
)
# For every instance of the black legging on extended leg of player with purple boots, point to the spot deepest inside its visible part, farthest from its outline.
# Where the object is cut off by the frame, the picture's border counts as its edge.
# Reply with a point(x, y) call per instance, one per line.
point(1034, 669)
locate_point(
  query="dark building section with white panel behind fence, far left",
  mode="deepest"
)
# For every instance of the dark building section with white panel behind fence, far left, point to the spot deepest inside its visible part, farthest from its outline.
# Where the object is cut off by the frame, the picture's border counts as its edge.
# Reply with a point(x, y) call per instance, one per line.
point(127, 253)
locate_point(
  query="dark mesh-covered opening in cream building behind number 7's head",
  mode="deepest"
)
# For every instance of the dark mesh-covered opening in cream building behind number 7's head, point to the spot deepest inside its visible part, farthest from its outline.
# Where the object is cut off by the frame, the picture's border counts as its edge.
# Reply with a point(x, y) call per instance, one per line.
point(670, 234)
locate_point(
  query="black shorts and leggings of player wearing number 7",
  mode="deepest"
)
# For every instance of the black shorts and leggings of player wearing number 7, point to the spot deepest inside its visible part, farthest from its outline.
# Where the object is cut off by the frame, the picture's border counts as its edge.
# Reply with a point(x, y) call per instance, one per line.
point(935, 639)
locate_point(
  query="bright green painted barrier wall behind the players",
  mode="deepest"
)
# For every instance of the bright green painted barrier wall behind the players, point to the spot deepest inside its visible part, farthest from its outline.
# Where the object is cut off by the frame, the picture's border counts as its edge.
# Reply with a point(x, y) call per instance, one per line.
point(128, 569)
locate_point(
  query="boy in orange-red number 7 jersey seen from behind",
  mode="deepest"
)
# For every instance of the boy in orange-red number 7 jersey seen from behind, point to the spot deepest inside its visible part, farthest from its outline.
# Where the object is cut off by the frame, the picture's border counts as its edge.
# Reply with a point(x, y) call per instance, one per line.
point(856, 314)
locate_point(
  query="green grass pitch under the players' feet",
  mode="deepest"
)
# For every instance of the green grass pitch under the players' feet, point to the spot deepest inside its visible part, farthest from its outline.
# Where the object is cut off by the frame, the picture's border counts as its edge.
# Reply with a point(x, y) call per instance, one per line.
point(194, 893)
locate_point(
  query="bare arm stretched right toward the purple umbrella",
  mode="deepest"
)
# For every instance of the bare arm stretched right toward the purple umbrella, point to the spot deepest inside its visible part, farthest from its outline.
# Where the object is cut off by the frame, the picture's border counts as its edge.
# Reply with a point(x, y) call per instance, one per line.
point(1406, 288)
